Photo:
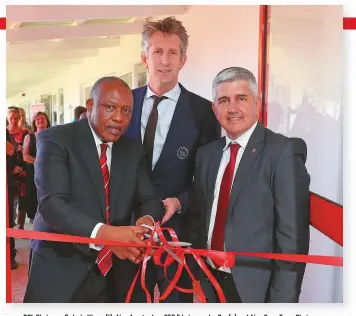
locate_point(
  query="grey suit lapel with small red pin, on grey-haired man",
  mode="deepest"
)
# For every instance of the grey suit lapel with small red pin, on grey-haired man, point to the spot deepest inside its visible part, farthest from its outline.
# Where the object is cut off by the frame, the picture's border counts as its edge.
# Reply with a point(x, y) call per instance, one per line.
point(249, 156)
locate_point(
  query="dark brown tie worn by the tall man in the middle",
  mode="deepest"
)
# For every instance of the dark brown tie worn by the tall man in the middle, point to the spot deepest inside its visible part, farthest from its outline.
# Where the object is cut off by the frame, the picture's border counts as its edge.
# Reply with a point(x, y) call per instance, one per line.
point(149, 138)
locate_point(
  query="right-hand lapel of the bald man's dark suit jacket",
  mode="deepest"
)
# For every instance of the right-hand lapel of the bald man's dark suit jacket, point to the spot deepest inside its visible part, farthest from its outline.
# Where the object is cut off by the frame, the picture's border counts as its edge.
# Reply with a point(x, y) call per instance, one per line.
point(119, 159)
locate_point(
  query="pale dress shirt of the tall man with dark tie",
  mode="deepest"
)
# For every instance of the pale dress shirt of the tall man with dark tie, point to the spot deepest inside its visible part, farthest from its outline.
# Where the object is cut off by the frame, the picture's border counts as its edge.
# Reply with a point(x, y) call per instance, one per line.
point(166, 110)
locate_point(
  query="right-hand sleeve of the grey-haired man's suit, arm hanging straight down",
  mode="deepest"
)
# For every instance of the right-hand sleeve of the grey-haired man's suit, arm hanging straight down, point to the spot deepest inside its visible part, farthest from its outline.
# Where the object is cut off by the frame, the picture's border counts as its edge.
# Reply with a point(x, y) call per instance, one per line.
point(291, 194)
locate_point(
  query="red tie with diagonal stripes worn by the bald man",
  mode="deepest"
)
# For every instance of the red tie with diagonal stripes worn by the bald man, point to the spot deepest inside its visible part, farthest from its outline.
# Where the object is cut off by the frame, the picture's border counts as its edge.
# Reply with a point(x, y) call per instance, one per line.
point(104, 257)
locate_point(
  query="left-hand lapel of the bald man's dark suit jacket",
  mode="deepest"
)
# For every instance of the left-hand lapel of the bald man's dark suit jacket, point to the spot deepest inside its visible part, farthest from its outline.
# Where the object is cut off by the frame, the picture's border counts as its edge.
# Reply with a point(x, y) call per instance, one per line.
point(91, 159)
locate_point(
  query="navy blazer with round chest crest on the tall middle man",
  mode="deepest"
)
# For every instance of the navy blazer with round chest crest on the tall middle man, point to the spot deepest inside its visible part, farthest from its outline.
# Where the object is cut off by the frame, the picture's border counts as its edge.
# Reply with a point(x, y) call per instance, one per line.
point(193, 125)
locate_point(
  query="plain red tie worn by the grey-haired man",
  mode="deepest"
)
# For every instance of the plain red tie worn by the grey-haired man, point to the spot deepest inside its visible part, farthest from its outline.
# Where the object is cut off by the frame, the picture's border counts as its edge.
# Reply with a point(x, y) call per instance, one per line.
point(218, 239)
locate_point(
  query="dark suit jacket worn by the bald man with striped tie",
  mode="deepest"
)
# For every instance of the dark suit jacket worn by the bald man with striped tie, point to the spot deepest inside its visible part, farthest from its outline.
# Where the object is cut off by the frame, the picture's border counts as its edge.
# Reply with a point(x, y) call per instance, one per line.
point(71, 201)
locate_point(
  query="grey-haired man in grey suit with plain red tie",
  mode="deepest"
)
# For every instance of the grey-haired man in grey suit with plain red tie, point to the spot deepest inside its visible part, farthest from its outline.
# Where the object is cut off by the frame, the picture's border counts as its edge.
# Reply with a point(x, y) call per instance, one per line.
point(251, 194)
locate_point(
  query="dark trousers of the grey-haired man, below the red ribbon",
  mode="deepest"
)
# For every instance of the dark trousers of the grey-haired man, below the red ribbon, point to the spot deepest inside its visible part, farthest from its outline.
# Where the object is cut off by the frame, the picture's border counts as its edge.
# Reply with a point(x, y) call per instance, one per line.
point(227, 285)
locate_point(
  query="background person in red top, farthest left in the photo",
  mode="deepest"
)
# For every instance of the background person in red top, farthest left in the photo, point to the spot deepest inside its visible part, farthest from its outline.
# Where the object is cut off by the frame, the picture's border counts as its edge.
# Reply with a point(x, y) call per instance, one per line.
point(18, 135)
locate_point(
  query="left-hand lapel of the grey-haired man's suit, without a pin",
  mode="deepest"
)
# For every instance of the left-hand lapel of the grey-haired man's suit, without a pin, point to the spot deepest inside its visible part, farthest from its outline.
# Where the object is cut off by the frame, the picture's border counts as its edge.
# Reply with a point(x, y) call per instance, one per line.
point(213, 169)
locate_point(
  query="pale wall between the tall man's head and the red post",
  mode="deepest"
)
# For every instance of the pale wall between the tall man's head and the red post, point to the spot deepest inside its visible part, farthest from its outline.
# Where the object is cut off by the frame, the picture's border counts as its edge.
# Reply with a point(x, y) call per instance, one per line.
point(219, 37)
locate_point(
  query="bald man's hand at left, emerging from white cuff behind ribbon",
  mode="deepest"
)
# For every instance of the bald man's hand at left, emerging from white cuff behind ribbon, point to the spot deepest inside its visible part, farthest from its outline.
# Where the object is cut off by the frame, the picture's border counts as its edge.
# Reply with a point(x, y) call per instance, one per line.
point(126, 234)
